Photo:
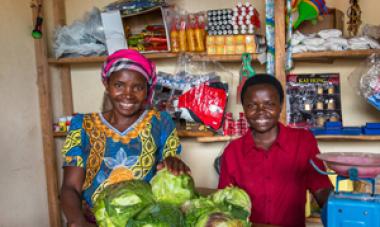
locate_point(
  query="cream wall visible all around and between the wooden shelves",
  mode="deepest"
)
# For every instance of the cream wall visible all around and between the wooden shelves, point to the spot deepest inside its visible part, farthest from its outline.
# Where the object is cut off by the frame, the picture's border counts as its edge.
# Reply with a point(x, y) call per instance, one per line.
point(23, 189)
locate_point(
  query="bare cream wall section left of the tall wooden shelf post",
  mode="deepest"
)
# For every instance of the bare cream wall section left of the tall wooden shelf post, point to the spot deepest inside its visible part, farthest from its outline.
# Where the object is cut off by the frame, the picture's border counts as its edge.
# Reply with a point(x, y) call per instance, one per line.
point(22, 178)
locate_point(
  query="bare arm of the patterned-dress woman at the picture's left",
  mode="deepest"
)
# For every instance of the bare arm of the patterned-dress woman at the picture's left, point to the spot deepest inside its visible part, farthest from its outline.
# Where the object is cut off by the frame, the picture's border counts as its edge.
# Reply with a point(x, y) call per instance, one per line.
point(73, 178)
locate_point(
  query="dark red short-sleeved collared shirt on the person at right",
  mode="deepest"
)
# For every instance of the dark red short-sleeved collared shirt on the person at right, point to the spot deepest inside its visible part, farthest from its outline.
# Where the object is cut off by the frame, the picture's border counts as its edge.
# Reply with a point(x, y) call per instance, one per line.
point(275, 179)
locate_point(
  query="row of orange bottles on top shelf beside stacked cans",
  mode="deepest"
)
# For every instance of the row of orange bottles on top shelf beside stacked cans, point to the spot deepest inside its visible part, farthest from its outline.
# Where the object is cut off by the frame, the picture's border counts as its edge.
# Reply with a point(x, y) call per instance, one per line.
point(188, 33)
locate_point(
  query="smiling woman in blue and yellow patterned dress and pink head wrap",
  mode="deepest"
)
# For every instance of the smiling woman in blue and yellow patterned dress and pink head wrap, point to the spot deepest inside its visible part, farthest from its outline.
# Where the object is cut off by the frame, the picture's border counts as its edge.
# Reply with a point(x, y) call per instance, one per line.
point(131, 141)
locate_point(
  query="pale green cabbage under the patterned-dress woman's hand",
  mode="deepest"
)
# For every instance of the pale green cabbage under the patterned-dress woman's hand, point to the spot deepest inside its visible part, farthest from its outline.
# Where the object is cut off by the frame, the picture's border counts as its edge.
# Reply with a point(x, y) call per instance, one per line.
point(172, 189)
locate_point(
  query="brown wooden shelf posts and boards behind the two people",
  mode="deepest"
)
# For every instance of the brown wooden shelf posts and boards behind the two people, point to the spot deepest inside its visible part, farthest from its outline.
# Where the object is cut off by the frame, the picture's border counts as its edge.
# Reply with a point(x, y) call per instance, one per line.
point(64, 65)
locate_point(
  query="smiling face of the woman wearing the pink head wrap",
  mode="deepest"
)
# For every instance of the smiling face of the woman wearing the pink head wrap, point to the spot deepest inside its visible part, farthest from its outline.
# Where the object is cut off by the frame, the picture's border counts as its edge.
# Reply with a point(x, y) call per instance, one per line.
point(127, 90)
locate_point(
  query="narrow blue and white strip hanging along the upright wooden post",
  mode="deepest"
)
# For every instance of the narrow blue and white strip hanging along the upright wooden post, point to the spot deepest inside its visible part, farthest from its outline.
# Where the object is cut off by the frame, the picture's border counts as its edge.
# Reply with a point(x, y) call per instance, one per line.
point(269, 31)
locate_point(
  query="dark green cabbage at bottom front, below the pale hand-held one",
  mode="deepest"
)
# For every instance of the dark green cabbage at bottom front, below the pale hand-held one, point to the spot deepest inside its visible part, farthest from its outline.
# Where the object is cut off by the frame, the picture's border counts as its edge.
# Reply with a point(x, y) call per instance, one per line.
point(158, 215)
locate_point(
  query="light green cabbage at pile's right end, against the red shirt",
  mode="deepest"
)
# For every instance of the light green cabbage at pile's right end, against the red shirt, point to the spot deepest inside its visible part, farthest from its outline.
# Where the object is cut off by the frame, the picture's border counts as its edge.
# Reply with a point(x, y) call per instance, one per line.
point(234, 198)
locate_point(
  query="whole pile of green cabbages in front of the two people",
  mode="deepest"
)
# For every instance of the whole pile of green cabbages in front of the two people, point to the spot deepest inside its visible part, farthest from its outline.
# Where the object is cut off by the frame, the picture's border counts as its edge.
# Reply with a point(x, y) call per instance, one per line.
point(170, 201)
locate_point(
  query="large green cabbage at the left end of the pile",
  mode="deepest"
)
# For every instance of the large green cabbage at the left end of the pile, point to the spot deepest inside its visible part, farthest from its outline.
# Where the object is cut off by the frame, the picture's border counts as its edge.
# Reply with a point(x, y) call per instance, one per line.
point(117, 203)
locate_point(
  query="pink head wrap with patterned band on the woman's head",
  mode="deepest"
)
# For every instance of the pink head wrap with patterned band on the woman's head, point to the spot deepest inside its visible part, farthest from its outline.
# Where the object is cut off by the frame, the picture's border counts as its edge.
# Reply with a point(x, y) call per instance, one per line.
point(131, 60)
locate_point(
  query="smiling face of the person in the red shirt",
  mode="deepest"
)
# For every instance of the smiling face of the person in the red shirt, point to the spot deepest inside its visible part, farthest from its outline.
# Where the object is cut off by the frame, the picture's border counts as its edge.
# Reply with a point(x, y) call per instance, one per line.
point(262, 107)
